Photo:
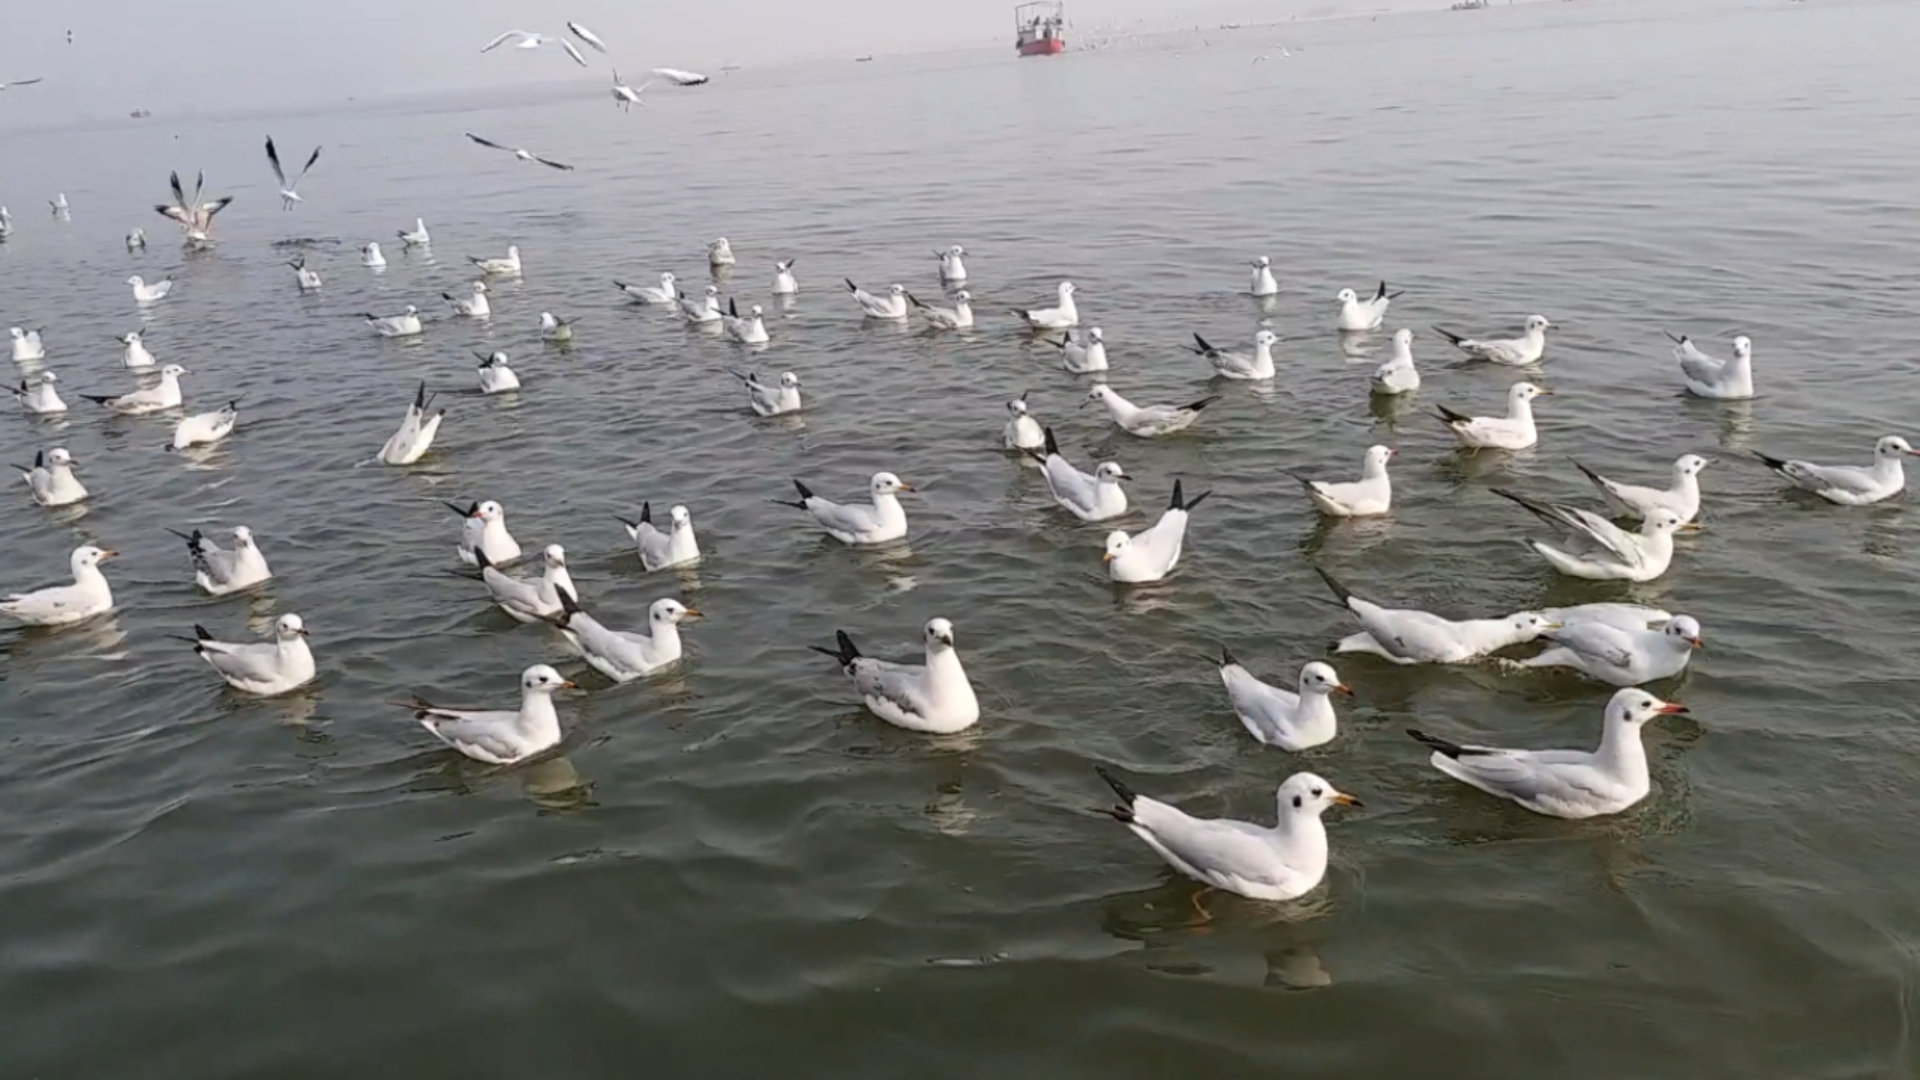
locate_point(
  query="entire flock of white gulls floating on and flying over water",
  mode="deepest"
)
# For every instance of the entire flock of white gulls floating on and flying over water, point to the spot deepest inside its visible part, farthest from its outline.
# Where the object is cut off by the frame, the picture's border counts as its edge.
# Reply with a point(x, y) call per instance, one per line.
point(1618, 645)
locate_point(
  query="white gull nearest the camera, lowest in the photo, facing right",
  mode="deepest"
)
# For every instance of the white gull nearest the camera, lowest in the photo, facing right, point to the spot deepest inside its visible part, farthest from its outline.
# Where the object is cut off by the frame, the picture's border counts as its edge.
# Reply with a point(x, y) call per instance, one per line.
point(1285, 862)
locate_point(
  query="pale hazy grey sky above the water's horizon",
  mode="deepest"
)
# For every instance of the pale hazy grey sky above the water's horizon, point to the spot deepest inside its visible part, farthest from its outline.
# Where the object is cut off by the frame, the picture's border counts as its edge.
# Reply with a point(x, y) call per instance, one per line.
point(218, 57)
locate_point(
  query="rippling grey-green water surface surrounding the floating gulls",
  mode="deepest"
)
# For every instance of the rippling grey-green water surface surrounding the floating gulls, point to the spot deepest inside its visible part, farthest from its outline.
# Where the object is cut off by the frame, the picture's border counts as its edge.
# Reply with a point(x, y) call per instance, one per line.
point(734, 870)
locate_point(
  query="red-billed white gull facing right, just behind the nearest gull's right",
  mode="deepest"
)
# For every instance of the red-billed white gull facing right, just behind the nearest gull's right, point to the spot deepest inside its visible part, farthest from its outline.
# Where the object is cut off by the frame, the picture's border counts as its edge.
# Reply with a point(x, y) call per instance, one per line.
point(1564, 783)
